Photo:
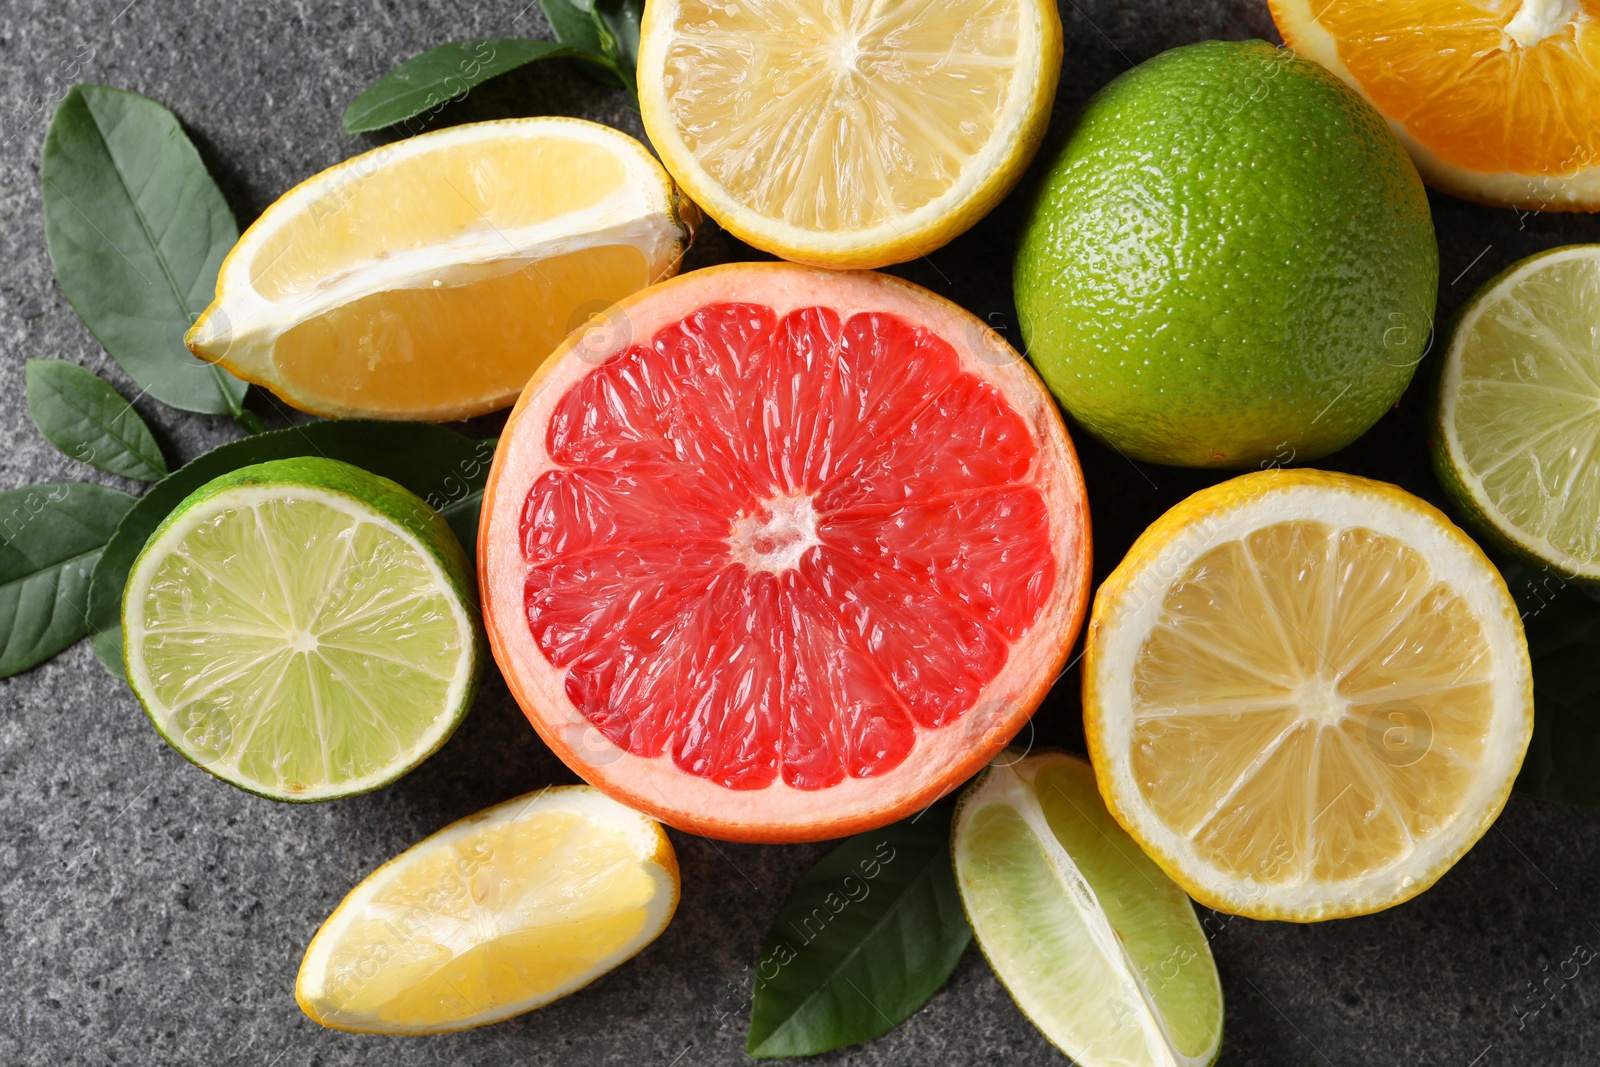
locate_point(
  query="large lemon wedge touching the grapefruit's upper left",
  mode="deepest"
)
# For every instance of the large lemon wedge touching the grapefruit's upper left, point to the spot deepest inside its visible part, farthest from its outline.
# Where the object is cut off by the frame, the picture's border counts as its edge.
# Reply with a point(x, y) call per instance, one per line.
point(431, 278)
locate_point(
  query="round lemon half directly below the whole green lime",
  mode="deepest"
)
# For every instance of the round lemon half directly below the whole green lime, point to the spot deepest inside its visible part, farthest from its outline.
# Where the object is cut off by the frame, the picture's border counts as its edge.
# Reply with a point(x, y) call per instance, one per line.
point(1306, 695)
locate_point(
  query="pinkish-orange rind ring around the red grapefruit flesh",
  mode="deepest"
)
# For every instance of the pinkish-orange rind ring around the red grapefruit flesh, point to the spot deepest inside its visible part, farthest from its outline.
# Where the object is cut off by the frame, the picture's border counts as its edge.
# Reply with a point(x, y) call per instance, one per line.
point(942, 759)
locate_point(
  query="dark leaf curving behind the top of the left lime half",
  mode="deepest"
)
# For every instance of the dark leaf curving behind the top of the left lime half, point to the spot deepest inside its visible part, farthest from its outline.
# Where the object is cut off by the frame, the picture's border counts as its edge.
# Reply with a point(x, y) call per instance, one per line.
point(441, 466)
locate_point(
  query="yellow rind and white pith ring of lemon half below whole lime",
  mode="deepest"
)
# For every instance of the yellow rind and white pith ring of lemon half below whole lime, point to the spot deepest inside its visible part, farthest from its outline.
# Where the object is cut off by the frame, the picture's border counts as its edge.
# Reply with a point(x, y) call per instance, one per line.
point(1130, 602)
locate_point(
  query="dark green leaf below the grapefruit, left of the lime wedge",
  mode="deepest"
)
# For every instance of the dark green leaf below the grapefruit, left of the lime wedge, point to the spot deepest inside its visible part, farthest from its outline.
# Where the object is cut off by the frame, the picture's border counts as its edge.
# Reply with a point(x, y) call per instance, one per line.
point(865, 940)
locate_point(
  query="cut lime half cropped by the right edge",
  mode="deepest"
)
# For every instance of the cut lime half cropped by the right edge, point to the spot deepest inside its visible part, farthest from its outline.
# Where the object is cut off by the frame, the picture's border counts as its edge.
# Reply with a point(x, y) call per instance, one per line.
point(1519, 410)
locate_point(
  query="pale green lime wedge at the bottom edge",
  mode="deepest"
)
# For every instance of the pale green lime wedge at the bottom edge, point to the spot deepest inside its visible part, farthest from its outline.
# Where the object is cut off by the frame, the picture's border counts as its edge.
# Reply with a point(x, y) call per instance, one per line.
point(1097, 946)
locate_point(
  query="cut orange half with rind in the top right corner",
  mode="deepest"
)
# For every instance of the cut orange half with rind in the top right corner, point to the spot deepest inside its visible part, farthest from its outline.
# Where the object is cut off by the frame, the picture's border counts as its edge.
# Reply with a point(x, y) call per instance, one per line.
point(1497, 100)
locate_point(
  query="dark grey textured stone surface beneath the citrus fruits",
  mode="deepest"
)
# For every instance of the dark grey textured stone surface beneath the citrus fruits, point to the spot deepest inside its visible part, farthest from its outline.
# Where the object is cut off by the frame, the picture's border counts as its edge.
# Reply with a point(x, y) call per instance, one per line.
point(156, 916)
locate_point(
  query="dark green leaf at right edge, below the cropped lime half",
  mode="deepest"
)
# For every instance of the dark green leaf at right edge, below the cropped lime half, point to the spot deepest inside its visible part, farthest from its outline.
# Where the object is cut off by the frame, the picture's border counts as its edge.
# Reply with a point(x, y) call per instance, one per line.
point(1564, 639)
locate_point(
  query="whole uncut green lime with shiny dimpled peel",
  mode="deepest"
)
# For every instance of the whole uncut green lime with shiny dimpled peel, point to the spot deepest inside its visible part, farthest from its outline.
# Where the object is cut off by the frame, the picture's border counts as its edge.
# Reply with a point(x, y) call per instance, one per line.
point(1231, 262)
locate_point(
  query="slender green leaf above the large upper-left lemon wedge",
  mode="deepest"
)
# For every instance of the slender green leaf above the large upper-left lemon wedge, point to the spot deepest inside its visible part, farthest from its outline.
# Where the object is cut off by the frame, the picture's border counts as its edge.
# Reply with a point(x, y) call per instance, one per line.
point(428, 82)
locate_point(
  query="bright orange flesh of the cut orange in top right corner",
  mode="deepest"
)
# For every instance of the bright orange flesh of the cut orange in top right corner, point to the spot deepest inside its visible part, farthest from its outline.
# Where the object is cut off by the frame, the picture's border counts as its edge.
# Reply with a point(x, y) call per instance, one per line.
point(1450, 74)
